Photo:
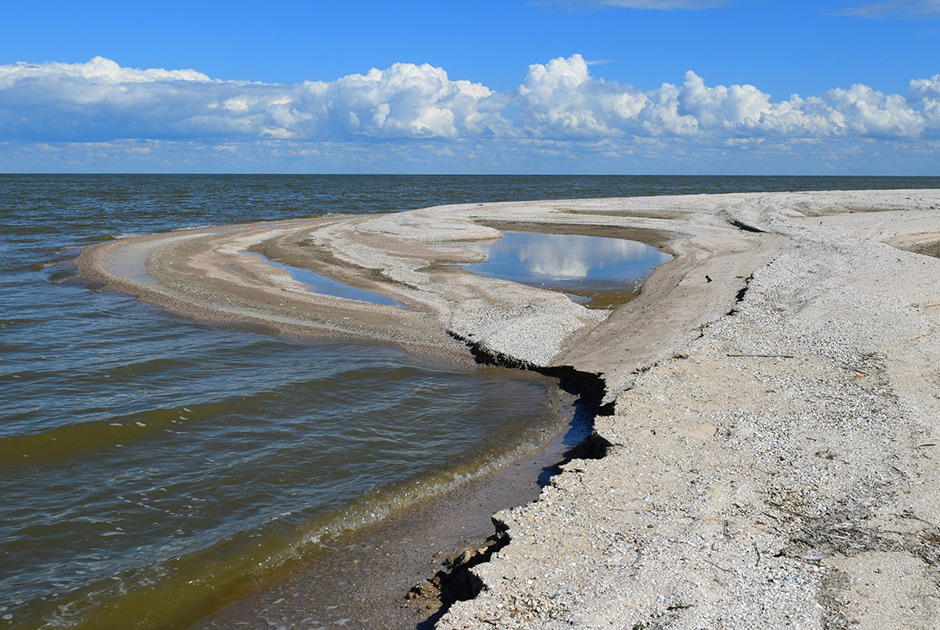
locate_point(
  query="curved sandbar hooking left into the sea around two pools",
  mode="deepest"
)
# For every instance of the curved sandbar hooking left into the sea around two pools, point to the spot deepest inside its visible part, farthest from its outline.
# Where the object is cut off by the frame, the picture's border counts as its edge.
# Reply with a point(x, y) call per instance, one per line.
point(413, 257)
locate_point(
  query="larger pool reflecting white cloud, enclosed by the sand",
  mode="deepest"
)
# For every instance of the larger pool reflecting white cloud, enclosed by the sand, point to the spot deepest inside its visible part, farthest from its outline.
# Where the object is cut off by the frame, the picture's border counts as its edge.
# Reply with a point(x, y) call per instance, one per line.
point(596, 271)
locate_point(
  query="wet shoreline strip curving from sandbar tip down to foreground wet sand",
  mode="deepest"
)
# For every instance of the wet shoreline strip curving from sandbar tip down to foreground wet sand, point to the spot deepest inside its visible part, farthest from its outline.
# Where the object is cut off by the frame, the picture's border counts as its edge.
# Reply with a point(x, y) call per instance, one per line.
point(454, 523)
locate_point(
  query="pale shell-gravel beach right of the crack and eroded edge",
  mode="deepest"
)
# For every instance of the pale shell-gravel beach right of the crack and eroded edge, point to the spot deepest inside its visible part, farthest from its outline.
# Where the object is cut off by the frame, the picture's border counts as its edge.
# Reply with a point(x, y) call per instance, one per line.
point(778, 471)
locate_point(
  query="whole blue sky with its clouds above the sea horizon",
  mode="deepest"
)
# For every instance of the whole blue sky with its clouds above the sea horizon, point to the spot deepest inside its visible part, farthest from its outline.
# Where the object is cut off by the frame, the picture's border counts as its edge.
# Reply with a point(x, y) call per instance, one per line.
point(801, 87)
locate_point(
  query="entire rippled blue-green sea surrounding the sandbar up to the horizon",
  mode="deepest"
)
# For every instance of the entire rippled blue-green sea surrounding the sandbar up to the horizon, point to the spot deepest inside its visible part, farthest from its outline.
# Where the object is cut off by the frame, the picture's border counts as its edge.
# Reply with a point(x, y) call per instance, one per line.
point(151, 466)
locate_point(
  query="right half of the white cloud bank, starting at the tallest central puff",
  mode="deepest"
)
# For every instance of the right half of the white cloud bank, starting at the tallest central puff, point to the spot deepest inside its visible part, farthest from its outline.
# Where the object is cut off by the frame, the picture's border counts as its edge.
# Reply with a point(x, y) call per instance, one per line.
point(562, 99)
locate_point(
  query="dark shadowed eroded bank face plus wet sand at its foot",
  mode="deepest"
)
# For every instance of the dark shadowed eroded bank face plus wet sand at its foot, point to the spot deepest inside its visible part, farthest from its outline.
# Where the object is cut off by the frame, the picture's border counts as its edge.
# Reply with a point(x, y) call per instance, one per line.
point(406, 571)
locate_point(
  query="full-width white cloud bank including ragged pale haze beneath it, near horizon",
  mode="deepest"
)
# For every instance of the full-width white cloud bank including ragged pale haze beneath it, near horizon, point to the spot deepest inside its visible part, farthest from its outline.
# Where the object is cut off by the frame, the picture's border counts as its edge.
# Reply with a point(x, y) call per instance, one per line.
point(558, 112)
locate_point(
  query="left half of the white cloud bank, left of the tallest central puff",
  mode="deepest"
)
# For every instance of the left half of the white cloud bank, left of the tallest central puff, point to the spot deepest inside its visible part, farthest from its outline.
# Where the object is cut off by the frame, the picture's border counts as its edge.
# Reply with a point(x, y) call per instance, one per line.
point(101, 100)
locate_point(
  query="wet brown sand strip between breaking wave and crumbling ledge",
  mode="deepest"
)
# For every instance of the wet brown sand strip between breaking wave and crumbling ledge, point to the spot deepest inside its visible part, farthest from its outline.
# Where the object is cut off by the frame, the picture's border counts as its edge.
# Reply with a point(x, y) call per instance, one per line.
point(363, 580)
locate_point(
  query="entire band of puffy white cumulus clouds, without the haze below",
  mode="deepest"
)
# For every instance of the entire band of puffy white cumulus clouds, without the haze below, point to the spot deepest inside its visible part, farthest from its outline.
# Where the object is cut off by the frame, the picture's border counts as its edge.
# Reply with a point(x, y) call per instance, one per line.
point(560, 100)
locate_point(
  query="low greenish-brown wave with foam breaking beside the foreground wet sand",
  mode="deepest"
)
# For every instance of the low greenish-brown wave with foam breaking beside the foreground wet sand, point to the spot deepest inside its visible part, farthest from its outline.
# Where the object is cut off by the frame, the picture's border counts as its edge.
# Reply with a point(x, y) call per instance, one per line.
point(203, 580)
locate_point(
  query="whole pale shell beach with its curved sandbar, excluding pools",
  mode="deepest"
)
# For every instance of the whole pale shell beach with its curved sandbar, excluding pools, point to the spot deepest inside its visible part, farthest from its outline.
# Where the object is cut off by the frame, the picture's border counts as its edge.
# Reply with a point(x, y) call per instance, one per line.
point(775, 436)
